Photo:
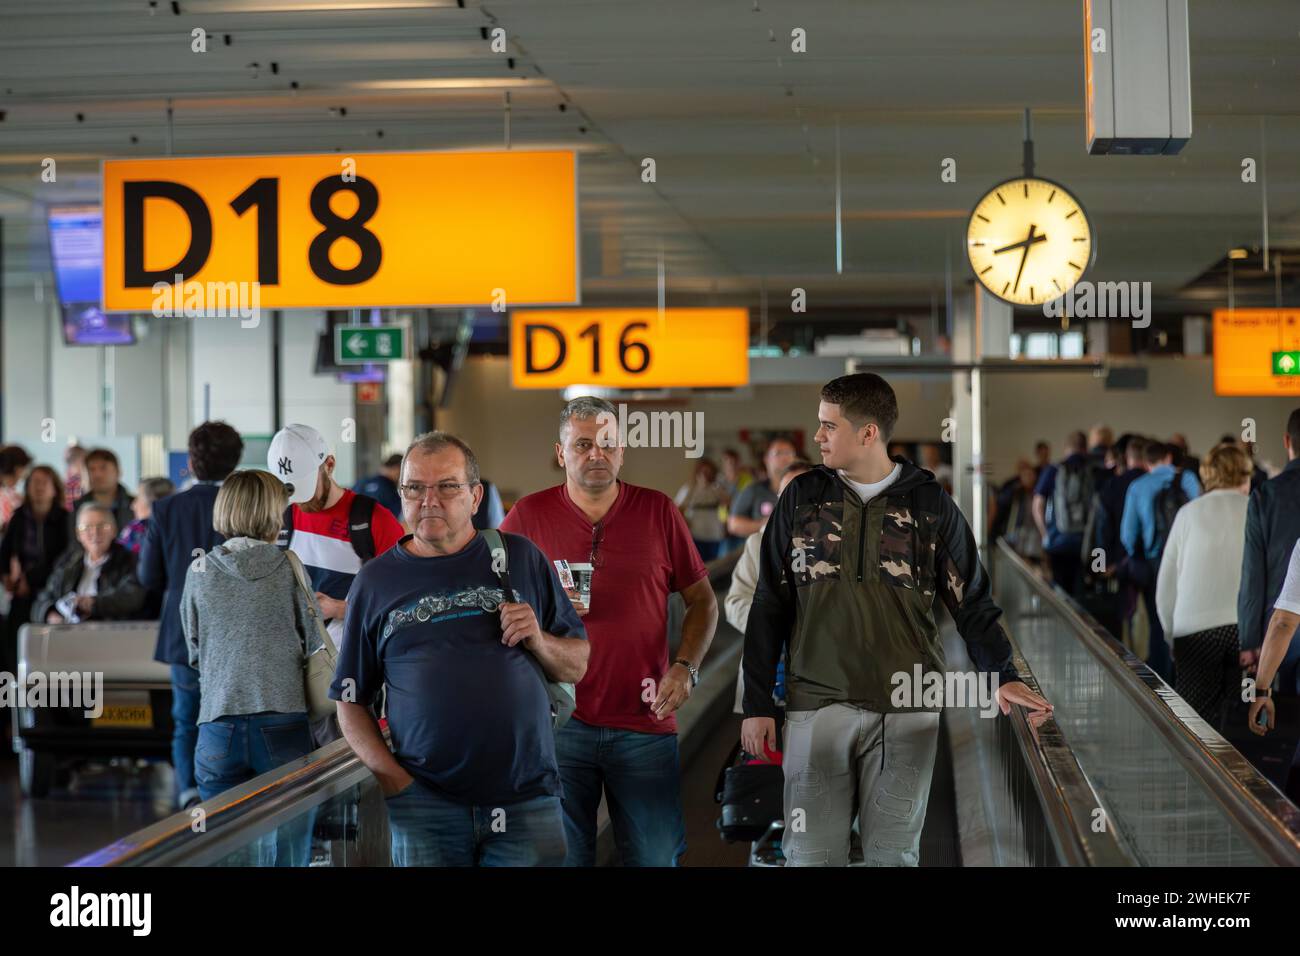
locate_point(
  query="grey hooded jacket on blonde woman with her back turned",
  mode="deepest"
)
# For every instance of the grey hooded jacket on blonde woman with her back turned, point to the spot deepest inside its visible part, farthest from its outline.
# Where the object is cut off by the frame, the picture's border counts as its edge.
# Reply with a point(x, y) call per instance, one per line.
point(248, 624)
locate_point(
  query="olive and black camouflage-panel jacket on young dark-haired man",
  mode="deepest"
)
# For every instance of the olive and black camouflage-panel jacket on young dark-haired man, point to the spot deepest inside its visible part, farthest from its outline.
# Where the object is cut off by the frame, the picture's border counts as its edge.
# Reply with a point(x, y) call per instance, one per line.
point(851, 590)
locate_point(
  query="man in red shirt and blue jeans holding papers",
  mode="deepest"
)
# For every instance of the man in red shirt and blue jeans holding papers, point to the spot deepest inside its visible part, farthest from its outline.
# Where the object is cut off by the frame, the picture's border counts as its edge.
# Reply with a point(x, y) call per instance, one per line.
point(623, 736)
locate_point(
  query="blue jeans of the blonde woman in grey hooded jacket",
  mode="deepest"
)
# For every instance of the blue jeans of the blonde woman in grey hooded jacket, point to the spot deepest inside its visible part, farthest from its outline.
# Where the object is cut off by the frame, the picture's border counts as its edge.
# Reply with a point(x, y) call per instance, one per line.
point(236, 749)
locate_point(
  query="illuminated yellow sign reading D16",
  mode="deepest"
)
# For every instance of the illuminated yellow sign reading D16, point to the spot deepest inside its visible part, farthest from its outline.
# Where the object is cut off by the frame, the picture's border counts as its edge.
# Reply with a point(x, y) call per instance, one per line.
point(630, 348)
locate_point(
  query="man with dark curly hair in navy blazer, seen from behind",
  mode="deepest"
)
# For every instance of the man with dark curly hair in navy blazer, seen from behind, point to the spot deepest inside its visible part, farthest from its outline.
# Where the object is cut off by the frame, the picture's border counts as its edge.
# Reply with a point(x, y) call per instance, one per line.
point(180, 526)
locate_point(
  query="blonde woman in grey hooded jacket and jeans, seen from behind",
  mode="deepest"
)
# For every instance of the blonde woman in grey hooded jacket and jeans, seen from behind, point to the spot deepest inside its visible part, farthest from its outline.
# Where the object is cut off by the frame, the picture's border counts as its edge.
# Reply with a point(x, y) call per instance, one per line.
point(250, 628)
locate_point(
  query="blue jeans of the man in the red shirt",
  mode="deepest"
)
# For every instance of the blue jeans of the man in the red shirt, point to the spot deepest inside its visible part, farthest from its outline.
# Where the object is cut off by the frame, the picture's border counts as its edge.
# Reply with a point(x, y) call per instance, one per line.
point(642, 777)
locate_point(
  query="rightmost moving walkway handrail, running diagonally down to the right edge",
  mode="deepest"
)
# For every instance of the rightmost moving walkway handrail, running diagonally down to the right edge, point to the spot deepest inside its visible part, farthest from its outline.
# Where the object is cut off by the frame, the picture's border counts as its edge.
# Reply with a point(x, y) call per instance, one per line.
point(1256, 807)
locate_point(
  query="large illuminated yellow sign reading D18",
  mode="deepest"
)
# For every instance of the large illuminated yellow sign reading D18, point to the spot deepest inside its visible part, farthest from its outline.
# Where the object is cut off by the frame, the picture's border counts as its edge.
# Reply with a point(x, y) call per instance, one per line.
point(333, 232)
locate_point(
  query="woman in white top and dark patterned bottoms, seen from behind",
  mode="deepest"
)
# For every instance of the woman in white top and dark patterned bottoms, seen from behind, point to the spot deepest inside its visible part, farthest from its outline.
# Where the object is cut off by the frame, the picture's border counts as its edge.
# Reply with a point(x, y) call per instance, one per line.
point(1201, 570)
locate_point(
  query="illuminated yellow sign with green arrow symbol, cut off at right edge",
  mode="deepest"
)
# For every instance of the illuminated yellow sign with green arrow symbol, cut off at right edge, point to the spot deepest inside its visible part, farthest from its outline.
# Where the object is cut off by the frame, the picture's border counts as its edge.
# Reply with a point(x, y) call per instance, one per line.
point(1247, 348)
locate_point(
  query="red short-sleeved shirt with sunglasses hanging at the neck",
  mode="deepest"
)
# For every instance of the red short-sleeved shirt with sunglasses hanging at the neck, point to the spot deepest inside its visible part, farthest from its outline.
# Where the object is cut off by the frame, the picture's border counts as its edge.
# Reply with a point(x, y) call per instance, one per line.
point(644, 555)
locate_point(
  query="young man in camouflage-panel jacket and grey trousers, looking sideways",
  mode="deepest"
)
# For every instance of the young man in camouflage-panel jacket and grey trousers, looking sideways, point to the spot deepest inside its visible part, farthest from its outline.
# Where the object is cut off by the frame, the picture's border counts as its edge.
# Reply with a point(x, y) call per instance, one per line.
point(851, 592)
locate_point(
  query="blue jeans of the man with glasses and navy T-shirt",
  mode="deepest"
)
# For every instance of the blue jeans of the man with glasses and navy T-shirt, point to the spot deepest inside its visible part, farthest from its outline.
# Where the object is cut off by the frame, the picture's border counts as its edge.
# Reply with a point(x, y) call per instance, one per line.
point(431, 830)
